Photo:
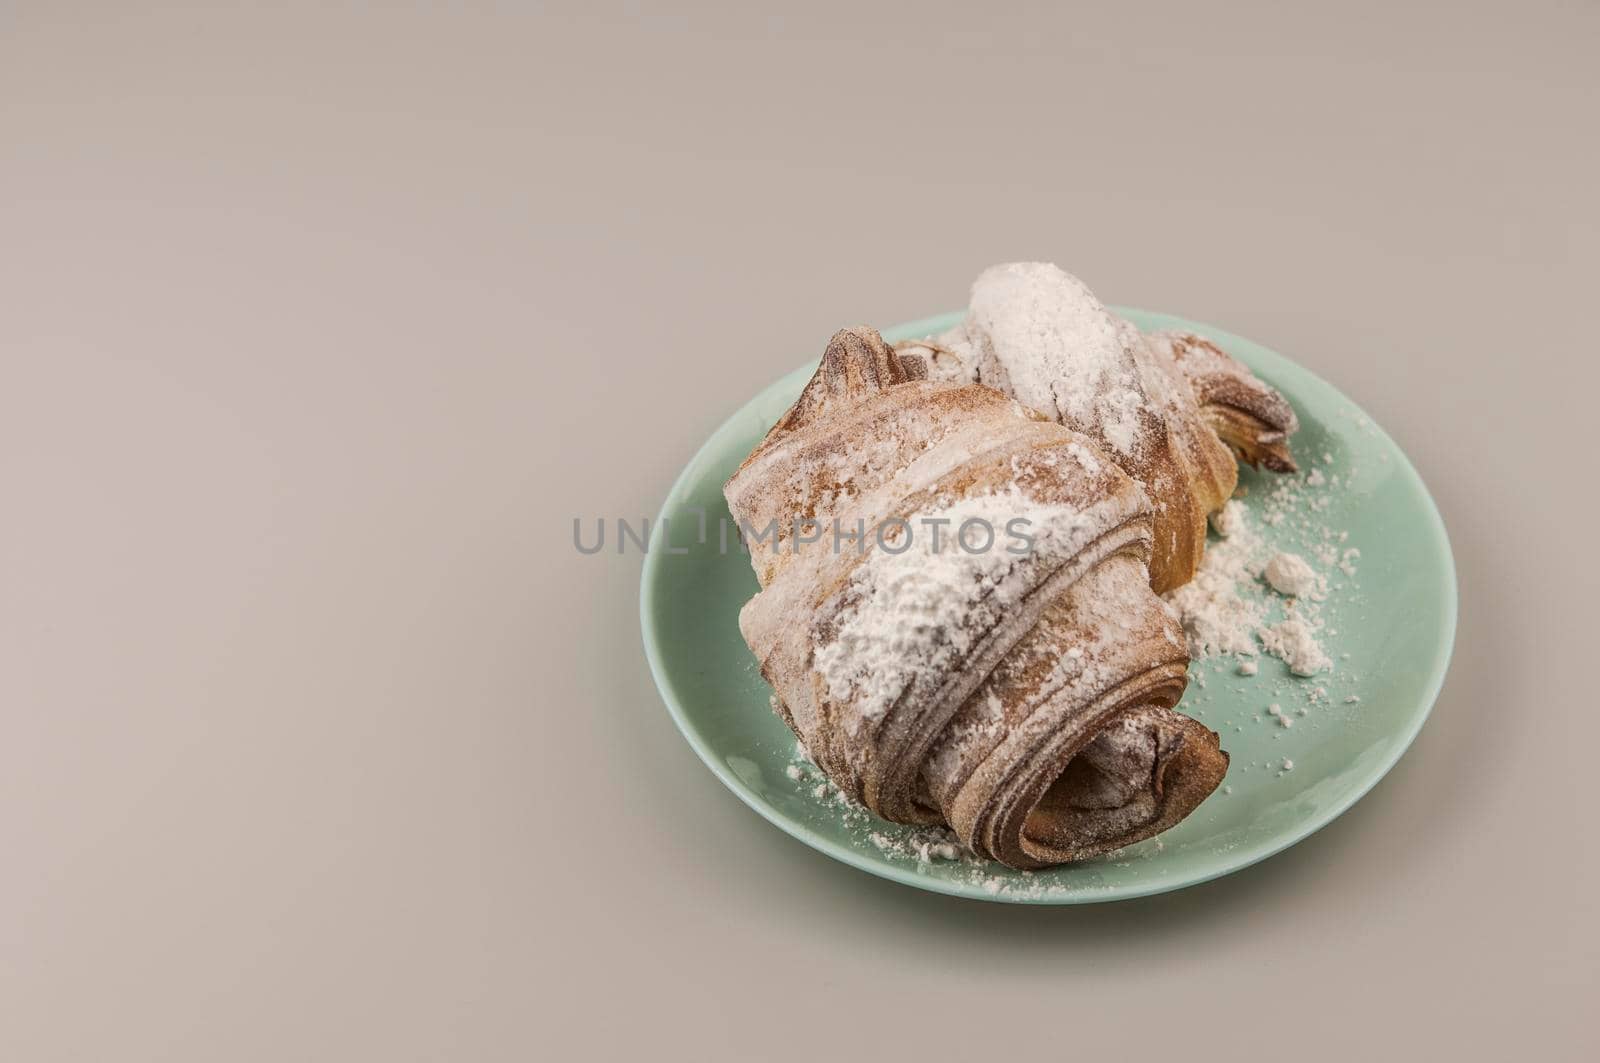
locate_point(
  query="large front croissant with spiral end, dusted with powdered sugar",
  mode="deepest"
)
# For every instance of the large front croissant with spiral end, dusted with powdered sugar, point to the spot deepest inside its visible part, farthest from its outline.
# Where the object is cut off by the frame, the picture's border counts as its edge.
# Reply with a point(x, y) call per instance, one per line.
point(1014, 680)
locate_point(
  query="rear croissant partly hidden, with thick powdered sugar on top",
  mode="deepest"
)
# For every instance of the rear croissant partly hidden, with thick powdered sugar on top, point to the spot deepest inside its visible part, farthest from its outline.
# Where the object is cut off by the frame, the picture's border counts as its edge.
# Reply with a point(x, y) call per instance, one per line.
point(1172, 411)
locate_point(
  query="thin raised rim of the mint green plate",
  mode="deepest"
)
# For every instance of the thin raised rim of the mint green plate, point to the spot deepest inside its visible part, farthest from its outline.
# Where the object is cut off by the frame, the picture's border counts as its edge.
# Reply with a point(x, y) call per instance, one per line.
point(951, 888)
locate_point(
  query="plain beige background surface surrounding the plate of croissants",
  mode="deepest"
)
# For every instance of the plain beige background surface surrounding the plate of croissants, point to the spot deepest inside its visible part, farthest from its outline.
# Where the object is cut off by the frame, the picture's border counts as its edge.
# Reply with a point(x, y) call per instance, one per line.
point(319, 326)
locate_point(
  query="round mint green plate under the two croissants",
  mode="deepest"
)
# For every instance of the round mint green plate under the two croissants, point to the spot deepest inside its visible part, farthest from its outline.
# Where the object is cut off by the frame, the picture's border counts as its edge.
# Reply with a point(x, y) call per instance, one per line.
point(1390, 628)
